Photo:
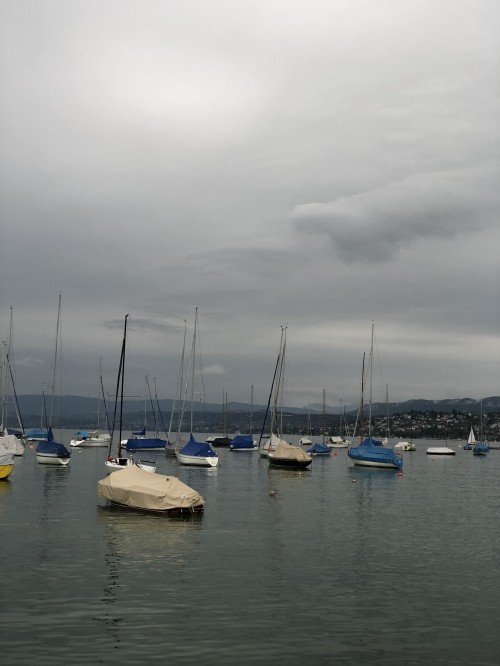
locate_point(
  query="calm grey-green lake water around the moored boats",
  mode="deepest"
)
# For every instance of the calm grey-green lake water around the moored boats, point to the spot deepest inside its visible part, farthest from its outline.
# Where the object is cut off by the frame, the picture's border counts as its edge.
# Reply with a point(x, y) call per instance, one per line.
point(343, 565)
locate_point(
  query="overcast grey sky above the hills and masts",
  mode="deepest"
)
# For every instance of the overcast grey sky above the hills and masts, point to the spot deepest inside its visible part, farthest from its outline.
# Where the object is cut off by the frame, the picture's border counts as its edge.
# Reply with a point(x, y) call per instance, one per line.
point(323, 164)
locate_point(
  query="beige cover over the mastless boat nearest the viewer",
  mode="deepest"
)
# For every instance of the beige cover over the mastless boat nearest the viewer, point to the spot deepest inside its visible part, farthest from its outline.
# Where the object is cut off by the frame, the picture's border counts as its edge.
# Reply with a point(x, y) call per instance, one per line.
point(133, 487)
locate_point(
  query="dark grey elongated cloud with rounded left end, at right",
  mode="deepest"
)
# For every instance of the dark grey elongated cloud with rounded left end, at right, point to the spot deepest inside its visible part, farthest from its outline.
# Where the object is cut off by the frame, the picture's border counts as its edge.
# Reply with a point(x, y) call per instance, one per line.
point(372, 227)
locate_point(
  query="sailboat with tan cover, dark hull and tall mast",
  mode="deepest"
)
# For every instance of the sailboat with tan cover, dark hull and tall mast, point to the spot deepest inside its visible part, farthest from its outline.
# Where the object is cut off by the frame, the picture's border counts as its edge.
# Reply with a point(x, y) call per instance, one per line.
point(280, 453)
